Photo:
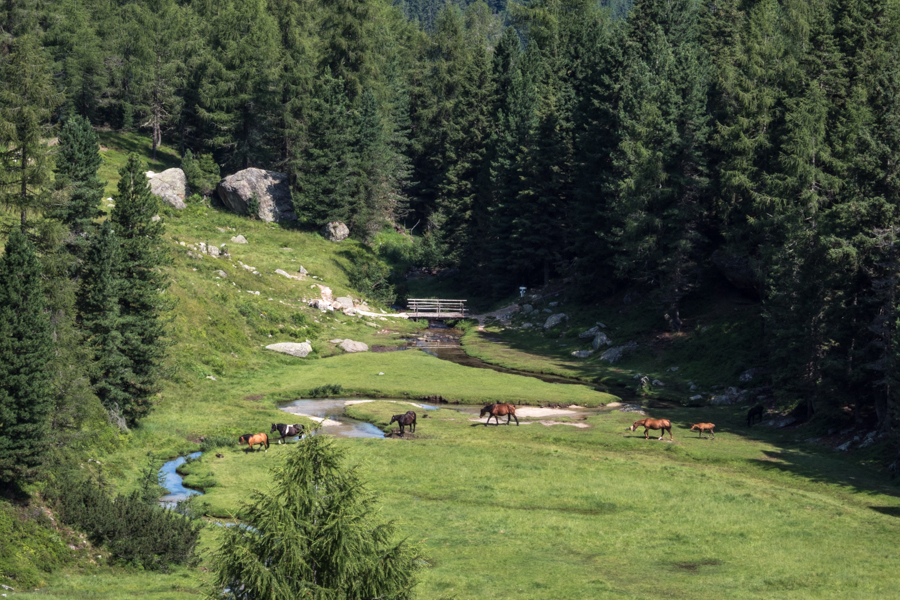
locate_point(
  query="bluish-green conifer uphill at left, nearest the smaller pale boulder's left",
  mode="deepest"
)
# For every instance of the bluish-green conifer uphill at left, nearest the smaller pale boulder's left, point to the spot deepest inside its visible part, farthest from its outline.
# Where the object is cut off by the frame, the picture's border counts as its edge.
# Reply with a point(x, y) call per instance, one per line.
point(76, 167)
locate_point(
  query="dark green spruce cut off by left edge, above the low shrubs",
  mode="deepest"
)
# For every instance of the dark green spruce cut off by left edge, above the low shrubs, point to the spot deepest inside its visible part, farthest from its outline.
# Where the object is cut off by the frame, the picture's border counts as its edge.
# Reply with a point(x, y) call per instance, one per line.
point(26, 349)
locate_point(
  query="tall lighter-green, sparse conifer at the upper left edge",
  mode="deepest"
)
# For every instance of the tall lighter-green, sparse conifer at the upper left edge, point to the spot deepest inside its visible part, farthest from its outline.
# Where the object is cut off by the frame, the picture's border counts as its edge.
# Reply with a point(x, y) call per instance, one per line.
point(28, 98)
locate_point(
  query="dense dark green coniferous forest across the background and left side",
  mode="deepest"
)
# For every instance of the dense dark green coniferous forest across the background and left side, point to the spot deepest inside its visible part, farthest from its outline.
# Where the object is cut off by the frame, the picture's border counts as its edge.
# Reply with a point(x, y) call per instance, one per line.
point(614, 144)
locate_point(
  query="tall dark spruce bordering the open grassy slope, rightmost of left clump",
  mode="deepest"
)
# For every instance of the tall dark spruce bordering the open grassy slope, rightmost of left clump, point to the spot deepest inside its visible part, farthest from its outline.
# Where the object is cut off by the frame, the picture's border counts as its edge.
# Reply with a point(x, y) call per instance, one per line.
point(141, 301)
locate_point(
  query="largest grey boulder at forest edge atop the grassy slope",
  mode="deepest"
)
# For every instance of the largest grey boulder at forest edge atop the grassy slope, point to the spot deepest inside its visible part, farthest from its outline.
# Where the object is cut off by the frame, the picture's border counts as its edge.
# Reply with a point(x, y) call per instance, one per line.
point(270, 188)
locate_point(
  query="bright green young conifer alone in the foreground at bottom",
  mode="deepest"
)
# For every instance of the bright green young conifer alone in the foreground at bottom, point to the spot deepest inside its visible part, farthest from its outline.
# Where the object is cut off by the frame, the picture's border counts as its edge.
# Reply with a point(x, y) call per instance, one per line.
point(316, 535)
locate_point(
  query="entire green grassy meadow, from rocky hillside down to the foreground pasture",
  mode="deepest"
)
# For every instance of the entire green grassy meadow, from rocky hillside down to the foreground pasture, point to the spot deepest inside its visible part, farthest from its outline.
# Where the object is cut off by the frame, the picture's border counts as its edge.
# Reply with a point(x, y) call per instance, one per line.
point(542, 510)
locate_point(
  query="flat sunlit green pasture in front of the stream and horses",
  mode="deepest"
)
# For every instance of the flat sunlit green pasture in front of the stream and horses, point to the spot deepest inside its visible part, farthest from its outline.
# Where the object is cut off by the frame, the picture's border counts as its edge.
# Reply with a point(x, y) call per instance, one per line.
point(559, 512)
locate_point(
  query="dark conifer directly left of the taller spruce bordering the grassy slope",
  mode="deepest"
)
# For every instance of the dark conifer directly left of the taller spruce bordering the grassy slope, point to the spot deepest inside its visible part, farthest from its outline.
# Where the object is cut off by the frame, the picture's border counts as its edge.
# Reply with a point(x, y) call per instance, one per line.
point(102, 286)
